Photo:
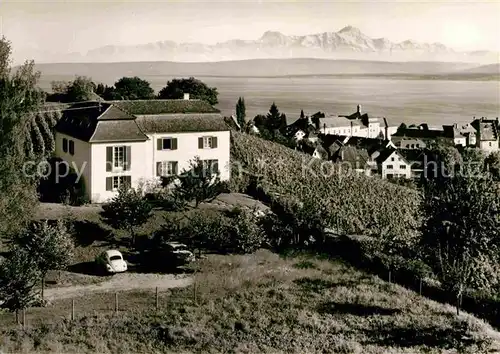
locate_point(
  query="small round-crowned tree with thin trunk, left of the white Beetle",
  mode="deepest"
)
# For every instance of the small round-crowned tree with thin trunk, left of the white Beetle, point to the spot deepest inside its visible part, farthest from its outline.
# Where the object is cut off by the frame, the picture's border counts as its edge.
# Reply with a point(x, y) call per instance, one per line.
point(50, 246)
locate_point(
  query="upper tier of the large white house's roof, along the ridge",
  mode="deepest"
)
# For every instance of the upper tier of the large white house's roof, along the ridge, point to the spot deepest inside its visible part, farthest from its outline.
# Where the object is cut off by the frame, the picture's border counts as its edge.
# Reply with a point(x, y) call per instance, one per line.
point(154, 107)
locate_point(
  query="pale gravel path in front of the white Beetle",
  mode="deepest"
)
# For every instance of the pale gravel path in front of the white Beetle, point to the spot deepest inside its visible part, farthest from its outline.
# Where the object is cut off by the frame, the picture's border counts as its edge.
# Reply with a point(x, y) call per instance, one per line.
point(121, 282)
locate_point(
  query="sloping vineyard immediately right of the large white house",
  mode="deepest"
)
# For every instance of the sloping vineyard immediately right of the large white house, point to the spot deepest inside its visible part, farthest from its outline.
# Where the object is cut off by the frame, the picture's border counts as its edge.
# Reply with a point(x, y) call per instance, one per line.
point(355, 204)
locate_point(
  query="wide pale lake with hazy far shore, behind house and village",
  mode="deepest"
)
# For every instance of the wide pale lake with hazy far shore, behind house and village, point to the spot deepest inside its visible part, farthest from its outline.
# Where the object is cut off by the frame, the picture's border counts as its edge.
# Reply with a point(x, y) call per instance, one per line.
point(442, 93)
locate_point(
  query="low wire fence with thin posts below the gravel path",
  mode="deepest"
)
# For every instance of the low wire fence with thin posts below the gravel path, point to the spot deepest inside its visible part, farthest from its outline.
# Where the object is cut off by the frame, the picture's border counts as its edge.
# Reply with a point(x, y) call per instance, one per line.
point(97, 305)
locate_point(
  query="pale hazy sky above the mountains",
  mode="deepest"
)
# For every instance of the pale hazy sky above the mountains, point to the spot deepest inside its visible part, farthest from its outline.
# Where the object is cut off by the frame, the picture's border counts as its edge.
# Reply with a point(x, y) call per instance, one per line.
point(77, 26)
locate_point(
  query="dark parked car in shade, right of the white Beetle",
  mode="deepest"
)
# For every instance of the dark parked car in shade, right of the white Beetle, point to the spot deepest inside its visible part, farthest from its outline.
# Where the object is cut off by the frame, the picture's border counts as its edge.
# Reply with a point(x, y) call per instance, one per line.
point(170, 255)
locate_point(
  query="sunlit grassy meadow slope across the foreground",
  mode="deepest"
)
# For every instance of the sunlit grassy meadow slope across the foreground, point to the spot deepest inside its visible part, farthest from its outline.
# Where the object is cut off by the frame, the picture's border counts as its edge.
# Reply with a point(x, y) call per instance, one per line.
point(263, 303)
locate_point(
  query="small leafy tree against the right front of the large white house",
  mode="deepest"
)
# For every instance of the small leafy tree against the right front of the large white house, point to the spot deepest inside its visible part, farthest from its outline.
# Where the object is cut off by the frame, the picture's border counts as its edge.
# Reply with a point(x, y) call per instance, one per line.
point(200, 183)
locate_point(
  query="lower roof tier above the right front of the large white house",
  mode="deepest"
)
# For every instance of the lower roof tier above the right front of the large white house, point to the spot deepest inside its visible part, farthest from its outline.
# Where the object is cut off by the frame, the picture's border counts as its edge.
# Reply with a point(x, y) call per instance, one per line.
point(182, 123)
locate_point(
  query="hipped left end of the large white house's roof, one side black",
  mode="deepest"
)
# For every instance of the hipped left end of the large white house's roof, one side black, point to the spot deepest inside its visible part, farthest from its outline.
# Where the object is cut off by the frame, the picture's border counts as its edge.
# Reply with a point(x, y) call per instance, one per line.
point(99, 122)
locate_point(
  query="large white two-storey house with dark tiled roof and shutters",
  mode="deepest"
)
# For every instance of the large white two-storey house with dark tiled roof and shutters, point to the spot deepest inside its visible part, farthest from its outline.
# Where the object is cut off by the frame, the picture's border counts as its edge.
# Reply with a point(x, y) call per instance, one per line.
point(113, 143)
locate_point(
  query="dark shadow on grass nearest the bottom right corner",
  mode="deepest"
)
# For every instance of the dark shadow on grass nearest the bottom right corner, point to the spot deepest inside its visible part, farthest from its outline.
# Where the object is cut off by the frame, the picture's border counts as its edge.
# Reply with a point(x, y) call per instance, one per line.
point(453, 337)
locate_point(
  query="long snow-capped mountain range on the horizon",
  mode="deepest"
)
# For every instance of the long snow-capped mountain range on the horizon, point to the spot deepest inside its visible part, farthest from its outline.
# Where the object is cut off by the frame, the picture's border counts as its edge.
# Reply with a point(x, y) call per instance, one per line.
point(348, 43)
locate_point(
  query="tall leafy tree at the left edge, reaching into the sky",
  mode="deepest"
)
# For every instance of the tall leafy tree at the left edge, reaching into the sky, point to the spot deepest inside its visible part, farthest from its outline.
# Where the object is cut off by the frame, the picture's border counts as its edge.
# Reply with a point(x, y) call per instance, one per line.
point(20, 99)
